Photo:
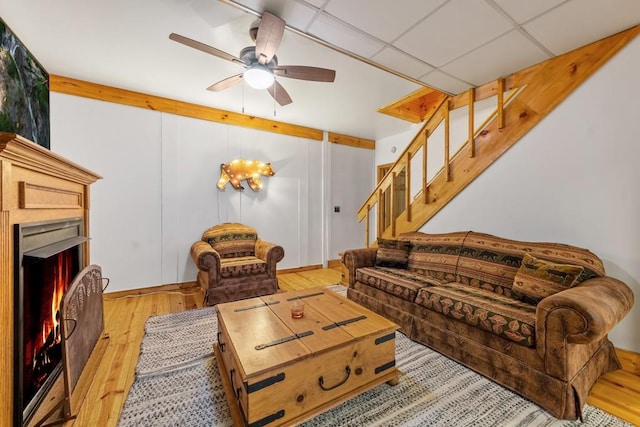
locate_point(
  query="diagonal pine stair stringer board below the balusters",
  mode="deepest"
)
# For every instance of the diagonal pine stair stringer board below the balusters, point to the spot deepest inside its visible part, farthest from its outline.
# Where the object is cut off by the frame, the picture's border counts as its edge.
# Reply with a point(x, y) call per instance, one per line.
point(547, 85)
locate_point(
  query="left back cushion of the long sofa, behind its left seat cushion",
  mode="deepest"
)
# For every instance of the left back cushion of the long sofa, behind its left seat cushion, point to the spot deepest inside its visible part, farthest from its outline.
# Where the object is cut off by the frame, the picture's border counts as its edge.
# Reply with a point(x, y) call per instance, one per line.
point(434, 255)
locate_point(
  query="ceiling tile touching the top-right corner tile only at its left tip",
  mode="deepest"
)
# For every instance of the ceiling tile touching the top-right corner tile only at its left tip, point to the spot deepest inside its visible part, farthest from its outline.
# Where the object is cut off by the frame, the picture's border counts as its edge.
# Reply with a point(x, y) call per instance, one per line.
point(453, 30)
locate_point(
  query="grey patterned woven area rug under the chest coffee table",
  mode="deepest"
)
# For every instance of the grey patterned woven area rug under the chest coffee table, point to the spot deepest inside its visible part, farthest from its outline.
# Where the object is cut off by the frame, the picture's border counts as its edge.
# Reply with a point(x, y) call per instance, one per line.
point(177, 384)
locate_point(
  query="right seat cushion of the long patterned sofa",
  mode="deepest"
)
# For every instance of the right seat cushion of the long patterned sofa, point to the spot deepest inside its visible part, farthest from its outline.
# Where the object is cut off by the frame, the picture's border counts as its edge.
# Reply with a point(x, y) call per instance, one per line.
point(500, 315)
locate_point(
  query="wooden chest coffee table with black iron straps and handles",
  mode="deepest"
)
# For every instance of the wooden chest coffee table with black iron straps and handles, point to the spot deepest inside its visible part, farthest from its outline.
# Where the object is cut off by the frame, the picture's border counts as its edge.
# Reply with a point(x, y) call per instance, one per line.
point(279, 370)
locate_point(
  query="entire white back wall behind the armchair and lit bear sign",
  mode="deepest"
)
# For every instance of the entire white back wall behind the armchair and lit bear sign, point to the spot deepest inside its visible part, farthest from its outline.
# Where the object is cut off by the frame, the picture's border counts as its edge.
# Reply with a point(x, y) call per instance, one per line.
point(159, 189)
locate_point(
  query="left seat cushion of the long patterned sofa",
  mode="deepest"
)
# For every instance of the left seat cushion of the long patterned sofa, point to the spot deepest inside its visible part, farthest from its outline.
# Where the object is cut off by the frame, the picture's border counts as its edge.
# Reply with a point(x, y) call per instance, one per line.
point(401, 283)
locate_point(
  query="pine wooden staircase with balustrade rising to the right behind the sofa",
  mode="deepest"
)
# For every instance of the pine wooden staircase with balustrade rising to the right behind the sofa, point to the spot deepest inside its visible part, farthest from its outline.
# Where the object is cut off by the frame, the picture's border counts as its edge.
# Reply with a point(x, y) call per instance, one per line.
point(413, 191)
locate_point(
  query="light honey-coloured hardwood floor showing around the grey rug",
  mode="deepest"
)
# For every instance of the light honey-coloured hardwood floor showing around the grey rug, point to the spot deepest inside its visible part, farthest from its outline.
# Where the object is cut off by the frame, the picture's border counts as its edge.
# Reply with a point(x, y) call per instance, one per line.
point(125, 314)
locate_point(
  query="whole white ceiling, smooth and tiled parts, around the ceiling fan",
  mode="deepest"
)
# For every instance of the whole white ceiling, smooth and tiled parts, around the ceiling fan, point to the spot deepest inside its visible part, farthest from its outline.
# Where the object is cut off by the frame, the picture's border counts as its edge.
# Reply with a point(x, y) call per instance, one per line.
point(381, 50)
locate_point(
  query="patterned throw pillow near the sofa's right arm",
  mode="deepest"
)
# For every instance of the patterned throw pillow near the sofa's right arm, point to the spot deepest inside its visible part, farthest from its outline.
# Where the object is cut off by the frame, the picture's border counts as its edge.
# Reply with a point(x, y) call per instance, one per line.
point(537, 278)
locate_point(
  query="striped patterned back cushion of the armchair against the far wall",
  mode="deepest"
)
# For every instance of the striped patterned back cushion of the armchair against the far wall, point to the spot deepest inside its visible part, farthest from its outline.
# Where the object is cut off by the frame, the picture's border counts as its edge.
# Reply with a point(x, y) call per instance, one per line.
point(232, 240)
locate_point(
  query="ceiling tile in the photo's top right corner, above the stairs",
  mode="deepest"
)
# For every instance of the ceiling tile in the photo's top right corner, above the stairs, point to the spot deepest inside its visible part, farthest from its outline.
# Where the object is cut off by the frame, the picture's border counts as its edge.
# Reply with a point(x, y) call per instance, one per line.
point(580, 22)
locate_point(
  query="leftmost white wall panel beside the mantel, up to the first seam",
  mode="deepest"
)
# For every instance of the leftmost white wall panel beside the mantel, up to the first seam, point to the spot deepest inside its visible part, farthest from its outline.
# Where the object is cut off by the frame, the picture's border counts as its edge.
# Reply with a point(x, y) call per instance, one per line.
point(126, 215)
